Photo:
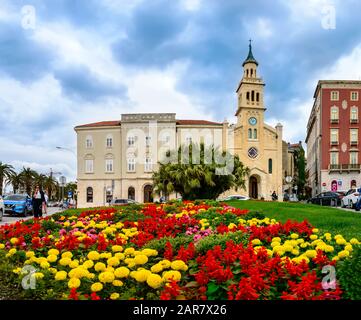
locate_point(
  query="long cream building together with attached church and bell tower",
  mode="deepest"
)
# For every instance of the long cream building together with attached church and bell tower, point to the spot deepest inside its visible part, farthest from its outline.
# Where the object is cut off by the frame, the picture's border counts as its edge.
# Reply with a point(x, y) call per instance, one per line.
point(116, 158)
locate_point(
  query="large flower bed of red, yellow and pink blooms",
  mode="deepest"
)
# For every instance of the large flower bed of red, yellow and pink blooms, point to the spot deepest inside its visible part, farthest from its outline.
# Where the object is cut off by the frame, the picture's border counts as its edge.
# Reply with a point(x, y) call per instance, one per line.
point(172, 251)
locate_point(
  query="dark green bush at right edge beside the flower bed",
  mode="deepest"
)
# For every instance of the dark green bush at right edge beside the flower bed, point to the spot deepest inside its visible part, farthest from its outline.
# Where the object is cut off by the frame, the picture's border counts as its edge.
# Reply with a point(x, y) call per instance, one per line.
point(349, 275)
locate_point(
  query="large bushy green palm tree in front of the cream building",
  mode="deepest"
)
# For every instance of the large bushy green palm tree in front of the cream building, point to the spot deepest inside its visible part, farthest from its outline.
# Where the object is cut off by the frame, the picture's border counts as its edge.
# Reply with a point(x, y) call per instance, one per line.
point(196, 177)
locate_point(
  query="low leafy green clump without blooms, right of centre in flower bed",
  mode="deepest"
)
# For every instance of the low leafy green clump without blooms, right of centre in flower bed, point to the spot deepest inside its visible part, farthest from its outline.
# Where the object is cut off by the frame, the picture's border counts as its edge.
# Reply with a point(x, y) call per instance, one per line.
point(208, 243)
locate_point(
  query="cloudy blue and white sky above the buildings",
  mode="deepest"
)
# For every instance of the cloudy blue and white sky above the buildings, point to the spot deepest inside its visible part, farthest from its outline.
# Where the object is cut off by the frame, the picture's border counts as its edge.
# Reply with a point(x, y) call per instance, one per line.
point(70, 62)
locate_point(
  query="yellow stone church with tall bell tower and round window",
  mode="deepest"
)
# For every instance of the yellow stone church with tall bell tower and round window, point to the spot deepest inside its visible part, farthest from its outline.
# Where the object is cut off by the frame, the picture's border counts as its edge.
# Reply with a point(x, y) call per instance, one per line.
point(259, 145)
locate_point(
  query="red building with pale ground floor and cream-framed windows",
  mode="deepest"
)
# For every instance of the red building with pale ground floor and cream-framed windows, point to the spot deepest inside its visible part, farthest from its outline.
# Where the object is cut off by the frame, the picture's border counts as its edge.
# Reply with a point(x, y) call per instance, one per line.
point(333, 136)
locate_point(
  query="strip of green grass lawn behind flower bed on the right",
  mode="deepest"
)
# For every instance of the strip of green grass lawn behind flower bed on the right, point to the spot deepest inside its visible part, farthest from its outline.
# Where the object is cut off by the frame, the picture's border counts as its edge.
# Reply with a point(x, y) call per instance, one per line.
point(347, 223)
